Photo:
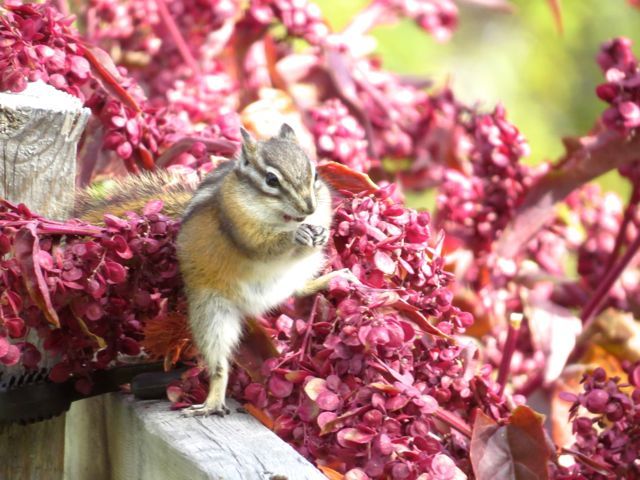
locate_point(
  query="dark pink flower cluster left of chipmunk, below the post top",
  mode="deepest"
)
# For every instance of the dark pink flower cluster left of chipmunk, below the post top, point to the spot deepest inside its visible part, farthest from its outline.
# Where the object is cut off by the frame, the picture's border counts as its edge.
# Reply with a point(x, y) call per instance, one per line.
point(96, 285)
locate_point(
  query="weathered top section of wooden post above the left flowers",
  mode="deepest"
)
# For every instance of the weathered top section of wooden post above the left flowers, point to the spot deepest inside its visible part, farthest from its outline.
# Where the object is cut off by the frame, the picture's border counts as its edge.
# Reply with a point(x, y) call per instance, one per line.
point(39, 134)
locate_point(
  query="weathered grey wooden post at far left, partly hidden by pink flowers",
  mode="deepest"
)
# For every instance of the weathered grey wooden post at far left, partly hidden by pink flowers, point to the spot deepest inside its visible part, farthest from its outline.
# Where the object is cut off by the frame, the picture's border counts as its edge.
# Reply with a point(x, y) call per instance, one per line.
point(39, 133)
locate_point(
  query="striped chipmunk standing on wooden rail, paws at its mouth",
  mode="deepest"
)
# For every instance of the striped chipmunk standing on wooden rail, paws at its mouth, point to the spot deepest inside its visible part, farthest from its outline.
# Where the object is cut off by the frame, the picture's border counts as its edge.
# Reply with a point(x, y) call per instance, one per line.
point(251, 236)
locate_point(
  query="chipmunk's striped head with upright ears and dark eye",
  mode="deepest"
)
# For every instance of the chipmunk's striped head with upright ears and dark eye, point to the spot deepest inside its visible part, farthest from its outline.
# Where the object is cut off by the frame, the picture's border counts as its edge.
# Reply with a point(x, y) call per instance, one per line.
point(281, 178)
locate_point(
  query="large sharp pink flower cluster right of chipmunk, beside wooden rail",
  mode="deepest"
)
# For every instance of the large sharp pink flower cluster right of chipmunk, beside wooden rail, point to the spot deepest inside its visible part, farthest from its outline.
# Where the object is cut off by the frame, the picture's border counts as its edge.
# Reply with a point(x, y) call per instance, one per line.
point(365, 382)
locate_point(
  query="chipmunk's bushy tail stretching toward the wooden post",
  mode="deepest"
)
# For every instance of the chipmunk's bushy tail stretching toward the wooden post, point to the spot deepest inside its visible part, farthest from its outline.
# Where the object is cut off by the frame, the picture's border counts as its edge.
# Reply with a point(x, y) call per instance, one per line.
point(132, 193)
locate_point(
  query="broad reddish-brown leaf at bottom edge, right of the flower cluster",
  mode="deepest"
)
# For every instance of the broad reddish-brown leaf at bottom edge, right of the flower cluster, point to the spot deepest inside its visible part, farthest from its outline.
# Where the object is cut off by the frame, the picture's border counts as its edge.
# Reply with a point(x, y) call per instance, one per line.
point(516, 450)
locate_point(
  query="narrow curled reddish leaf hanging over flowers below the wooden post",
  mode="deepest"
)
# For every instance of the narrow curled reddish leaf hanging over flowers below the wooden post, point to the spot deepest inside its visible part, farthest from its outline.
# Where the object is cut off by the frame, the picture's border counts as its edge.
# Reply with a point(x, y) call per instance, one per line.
point(27, 249)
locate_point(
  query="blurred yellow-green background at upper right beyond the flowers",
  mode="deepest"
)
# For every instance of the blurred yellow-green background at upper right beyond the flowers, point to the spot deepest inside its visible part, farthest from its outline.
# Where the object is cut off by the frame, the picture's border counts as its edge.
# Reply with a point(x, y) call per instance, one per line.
point(546, 80)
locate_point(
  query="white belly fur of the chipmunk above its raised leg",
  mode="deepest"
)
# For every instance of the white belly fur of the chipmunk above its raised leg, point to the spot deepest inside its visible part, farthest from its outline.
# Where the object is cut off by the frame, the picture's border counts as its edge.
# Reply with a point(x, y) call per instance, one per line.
point(277, 281)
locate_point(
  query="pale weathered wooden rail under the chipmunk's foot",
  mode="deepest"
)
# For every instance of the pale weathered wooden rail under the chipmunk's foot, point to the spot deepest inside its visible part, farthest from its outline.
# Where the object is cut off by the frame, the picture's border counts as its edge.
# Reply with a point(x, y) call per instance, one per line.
point(145, 440)
